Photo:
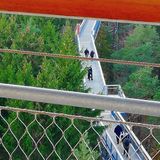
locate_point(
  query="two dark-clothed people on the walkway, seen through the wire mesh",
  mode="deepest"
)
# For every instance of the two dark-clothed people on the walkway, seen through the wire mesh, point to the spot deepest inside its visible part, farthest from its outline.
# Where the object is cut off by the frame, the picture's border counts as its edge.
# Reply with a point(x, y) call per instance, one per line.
point(124, 138)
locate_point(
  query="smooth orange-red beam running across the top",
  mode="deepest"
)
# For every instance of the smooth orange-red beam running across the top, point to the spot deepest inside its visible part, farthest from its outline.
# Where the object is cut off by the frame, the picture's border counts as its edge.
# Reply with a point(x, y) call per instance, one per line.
point(135, 10)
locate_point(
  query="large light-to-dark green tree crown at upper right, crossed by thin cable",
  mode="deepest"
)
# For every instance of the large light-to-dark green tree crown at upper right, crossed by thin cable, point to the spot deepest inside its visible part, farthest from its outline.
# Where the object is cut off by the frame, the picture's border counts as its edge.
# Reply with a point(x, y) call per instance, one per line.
point(141, 45)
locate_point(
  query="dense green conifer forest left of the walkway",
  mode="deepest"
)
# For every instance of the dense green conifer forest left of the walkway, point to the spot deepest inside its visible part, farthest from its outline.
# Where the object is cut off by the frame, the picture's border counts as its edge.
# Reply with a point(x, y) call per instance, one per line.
point(49, 35)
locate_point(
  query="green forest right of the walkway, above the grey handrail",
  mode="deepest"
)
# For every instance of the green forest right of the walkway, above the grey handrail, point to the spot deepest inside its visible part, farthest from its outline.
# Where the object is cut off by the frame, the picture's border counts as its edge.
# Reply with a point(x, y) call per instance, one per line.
point(131, 42)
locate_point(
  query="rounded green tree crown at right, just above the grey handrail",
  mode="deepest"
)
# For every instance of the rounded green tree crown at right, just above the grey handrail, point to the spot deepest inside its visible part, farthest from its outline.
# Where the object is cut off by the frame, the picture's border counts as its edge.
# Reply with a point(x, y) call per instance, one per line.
point(141, 84)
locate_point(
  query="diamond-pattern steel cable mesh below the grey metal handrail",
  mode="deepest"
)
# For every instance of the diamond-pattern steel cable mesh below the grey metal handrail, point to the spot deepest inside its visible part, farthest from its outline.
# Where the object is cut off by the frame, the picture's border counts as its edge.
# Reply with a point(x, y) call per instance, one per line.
point(28, 134)
